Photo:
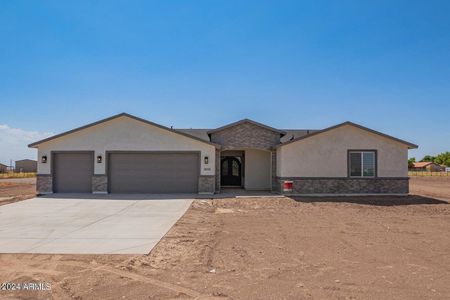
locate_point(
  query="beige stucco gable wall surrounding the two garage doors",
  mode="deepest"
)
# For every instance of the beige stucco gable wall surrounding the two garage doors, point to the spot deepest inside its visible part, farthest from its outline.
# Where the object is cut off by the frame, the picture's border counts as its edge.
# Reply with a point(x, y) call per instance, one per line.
point(124, 134)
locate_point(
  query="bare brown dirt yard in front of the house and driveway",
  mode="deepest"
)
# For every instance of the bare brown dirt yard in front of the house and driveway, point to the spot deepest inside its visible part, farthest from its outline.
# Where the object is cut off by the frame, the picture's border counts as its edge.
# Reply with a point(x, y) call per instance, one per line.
point(271, 248)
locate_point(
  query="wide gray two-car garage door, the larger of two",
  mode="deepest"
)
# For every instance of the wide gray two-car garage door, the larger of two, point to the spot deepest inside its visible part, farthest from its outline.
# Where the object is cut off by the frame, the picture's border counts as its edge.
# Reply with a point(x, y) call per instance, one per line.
point(156, 173)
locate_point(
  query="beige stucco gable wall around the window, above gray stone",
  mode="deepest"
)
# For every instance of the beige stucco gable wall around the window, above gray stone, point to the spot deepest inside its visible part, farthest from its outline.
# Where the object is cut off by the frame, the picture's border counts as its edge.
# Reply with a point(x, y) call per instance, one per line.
point(325, 155)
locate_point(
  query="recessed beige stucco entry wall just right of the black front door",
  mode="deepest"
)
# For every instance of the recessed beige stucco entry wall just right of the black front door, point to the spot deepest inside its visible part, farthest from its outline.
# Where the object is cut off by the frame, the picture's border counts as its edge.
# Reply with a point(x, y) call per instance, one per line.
point(257, 169)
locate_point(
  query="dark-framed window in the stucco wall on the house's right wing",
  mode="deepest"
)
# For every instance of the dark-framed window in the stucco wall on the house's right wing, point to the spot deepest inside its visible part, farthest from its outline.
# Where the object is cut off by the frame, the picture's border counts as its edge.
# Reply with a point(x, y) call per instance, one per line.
point(362, 163)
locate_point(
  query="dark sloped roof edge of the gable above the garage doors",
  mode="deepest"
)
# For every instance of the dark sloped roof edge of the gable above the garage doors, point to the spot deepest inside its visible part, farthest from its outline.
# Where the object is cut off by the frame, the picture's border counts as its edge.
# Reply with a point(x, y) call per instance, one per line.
point(33, 145)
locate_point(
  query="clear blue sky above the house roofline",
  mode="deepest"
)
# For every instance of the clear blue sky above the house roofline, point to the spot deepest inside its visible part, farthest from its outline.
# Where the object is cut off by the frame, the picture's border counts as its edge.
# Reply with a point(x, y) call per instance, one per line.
point(288, 64)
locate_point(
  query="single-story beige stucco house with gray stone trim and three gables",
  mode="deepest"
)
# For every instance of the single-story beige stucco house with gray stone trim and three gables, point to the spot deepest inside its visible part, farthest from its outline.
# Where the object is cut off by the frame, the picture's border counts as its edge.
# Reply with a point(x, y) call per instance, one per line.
point(127, 154)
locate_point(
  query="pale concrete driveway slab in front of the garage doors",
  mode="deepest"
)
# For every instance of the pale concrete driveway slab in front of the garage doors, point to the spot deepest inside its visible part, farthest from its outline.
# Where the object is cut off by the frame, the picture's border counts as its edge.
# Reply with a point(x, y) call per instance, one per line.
point(89, 224)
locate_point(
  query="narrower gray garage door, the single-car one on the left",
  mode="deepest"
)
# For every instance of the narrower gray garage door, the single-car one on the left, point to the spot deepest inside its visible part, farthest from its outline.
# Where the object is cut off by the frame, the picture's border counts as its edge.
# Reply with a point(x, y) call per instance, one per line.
point(72, 172)
